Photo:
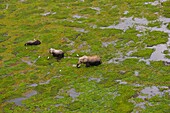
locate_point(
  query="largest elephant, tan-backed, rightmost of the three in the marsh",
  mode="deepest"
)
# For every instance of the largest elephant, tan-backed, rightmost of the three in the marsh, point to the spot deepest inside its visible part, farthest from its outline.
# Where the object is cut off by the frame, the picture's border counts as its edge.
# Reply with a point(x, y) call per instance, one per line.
point(89, 61)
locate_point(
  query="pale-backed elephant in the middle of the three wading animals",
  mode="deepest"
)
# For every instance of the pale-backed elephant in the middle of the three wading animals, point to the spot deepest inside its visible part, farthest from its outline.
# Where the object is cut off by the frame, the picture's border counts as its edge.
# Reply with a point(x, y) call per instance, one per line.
point(56, 53)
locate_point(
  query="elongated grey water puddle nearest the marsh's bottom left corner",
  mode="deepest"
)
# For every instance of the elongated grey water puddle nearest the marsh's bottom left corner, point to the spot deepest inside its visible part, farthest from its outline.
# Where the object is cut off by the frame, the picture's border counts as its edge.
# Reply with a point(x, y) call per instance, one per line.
point(18, 101)
